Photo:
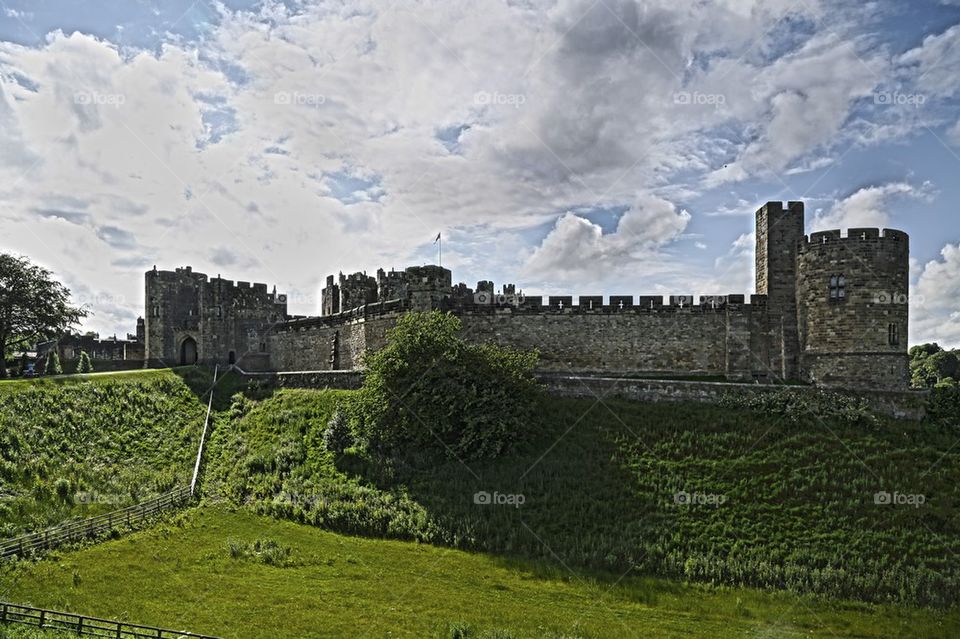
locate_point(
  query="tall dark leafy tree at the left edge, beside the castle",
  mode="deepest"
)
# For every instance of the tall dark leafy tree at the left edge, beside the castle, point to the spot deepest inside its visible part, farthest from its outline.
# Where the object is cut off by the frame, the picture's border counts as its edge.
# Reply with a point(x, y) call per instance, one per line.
point(33, 306)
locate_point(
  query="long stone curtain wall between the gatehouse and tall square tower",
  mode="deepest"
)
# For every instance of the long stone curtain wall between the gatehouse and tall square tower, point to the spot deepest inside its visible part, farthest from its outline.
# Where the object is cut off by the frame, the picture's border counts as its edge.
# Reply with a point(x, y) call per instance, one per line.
point(697, 340)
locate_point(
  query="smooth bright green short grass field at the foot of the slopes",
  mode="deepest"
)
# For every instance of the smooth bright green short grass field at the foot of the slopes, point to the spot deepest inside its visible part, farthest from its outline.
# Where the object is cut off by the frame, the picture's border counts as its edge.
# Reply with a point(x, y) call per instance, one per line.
point(182, 576)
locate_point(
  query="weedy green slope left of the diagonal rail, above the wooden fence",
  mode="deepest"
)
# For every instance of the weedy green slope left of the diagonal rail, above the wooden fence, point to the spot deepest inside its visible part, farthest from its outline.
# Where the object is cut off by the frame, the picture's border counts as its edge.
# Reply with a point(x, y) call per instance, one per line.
point(123, 436)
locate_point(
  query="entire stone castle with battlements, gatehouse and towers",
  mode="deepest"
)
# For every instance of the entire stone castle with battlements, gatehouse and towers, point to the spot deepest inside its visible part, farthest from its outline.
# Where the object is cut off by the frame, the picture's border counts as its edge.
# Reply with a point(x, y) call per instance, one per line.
point(829, 309)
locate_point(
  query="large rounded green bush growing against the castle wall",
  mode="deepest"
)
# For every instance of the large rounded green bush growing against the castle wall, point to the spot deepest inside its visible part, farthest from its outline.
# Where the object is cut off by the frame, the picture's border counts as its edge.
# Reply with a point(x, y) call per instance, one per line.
point(429, 389)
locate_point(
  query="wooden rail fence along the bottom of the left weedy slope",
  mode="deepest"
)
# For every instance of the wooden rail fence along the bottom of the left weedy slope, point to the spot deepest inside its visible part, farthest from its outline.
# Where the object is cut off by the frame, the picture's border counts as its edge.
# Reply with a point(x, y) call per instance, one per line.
point(94, 526)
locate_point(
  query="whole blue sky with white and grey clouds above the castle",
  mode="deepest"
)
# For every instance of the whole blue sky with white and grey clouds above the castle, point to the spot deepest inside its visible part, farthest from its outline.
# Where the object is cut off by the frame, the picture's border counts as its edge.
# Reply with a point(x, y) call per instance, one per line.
point(568, 146)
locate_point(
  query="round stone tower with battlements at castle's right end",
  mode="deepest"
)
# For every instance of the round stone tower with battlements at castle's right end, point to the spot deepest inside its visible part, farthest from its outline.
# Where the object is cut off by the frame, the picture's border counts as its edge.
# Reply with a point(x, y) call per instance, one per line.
point(853, 308)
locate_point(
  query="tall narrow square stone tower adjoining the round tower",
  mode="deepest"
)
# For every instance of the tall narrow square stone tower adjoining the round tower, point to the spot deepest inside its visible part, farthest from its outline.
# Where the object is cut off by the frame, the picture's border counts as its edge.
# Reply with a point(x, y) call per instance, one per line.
point(780, 230)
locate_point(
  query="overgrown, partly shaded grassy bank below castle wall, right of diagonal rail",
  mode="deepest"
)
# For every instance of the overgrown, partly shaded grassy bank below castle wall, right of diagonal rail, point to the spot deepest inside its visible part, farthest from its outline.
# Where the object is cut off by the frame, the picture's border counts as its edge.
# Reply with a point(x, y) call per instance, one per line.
point(599, 486)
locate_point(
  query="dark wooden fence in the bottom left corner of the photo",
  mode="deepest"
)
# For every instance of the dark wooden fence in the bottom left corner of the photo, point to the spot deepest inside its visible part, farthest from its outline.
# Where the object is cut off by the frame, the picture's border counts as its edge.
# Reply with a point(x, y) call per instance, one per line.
point(83, 625)
